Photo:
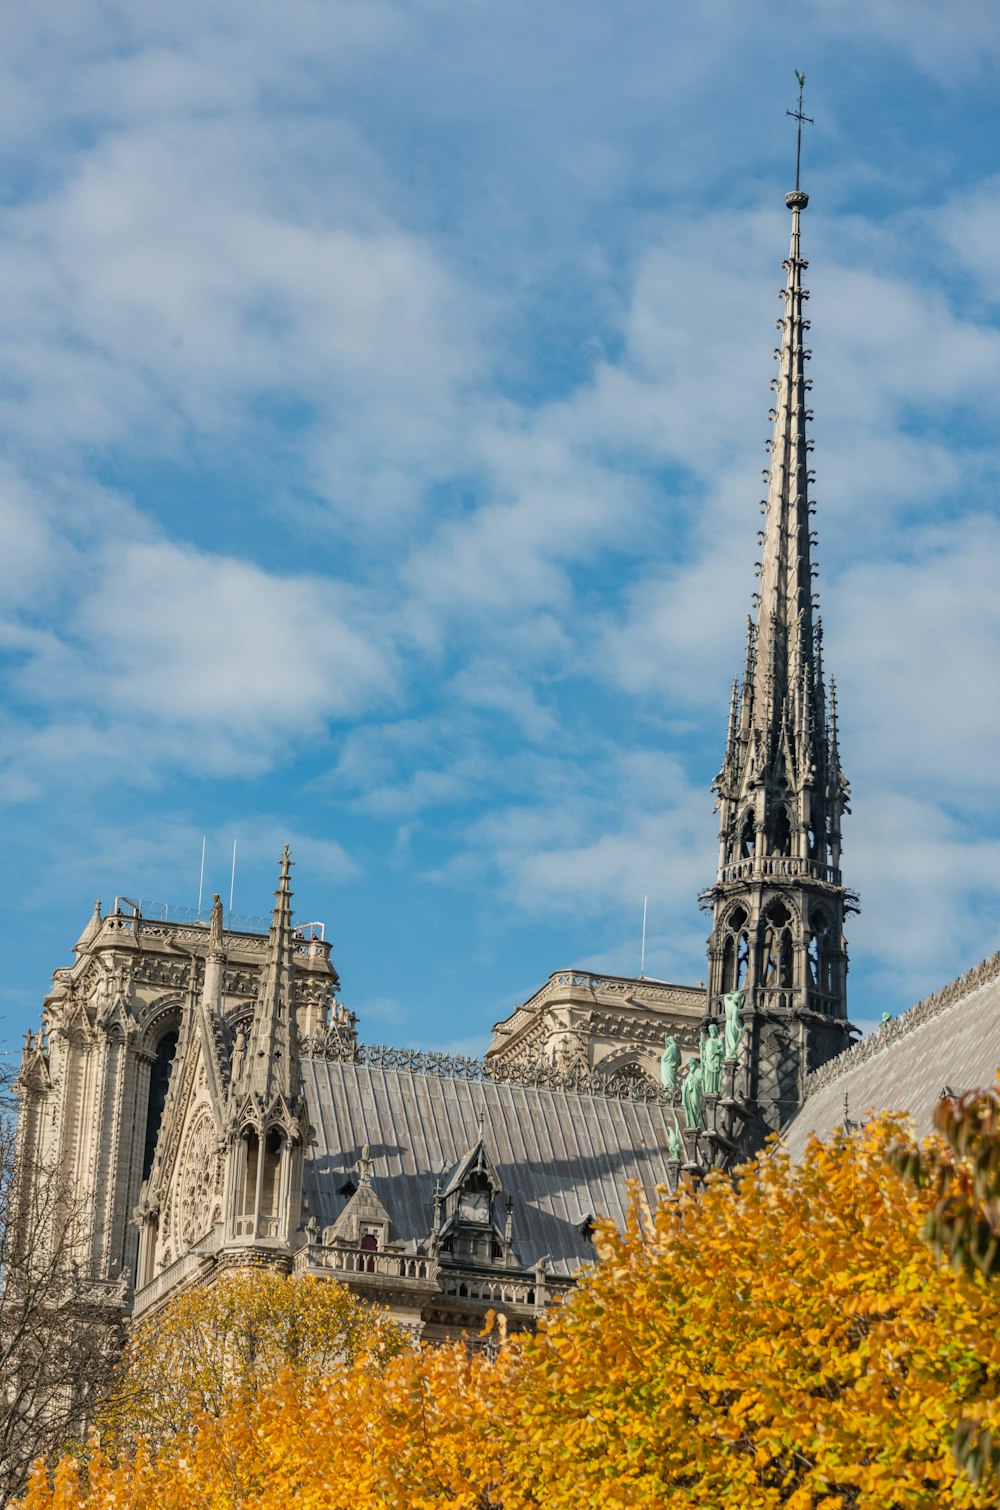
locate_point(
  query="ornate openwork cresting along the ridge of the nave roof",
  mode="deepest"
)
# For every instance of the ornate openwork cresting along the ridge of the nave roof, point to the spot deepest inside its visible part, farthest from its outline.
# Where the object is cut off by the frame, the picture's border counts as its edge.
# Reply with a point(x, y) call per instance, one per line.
point(584, 1082)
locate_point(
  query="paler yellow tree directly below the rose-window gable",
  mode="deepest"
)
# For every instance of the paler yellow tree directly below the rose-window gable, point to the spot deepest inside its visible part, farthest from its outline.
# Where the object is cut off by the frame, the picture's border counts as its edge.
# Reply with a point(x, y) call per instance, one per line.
point(223, 1345)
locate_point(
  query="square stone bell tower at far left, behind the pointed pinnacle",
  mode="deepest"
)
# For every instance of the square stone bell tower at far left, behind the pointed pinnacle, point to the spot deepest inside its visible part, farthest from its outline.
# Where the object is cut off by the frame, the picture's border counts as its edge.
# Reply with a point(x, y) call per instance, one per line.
point(94, 1079)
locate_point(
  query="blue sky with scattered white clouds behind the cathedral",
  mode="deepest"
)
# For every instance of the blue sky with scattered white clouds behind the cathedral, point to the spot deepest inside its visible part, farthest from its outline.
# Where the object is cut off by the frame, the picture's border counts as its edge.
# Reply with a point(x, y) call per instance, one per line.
point(383, 401)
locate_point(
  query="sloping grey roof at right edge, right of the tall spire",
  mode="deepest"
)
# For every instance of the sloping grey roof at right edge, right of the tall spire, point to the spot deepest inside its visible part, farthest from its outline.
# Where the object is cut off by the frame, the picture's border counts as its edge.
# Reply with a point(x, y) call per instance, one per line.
point(951, 1040)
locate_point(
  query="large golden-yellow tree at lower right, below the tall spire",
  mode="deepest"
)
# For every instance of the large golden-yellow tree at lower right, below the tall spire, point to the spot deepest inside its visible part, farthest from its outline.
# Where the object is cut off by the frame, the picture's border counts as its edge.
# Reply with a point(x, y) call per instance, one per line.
point(791, 1342)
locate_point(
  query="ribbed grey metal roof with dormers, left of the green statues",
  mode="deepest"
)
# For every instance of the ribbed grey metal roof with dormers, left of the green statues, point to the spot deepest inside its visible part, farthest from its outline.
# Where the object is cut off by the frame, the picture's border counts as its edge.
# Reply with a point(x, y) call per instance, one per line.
point(561, 1156)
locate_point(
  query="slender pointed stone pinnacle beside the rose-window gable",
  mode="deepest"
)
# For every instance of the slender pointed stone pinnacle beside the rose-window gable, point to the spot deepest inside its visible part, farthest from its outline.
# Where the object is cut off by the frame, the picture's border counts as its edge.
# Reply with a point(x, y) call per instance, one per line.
point(271, 1074)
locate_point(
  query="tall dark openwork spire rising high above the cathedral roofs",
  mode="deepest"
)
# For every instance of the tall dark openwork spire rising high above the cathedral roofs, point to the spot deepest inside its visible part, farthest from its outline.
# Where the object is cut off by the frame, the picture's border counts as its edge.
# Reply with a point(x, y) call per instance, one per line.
point(779, 902)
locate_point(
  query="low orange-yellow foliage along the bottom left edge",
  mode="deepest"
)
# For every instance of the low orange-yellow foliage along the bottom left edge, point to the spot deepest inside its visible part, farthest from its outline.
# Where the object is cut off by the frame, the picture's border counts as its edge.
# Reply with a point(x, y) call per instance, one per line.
point(416, 1434)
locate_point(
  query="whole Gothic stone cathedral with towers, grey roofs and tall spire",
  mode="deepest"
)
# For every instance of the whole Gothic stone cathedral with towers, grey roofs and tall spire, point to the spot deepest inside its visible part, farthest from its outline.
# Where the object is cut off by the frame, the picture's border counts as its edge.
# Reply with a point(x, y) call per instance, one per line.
point(209, 1100)
